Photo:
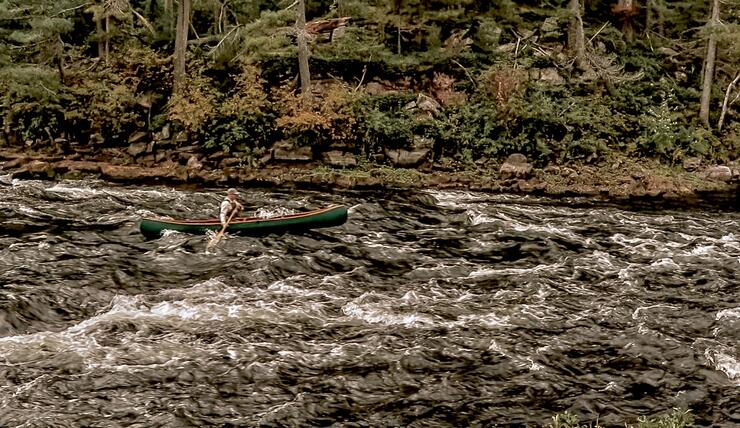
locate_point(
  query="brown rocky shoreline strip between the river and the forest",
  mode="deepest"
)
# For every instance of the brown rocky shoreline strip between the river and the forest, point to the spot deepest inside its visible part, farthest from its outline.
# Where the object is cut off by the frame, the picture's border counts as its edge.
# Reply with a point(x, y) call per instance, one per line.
point(622, 181)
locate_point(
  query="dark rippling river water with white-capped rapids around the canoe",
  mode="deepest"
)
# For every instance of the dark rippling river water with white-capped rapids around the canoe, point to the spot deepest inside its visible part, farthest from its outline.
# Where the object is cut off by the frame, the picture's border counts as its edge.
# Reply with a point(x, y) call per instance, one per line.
point(428, 309)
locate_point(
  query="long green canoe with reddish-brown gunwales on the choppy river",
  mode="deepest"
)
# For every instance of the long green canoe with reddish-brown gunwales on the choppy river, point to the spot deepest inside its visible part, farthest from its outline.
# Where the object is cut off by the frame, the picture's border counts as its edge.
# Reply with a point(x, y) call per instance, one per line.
point(333, 215)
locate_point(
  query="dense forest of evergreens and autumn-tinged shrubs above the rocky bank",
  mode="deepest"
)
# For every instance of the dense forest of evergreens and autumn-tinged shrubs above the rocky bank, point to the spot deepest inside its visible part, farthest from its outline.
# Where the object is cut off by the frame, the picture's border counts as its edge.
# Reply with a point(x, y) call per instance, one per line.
point(400, 82)
